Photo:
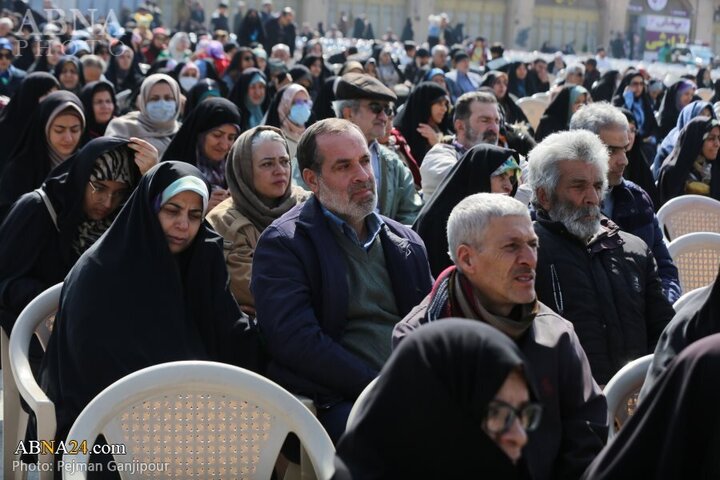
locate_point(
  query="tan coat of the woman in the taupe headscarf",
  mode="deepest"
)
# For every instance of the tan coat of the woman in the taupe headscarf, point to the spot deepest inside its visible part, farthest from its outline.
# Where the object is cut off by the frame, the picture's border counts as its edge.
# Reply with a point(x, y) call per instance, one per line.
point(240, 239)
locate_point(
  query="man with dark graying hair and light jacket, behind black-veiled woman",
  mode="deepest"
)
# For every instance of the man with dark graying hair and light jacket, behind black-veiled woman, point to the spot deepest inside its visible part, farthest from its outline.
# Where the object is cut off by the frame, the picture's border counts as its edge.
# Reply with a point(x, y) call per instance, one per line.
point(476, 120)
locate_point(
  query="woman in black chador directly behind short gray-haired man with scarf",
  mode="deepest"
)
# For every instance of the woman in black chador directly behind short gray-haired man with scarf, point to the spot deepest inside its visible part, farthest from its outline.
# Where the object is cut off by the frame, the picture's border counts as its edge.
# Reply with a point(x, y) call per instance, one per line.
point(483, 168)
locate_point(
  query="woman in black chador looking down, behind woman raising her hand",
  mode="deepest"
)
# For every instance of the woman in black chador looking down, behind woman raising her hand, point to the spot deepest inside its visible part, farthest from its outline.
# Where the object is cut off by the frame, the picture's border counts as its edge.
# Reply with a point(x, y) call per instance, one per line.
point(52, 137)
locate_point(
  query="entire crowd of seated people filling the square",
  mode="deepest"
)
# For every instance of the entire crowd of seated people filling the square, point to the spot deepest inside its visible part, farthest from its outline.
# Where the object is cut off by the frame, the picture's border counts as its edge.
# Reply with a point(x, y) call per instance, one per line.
point(223, 196)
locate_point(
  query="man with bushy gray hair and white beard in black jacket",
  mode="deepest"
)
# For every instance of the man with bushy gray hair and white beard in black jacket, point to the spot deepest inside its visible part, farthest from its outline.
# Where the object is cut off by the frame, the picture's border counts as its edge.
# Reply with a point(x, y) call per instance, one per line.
point(603, 280)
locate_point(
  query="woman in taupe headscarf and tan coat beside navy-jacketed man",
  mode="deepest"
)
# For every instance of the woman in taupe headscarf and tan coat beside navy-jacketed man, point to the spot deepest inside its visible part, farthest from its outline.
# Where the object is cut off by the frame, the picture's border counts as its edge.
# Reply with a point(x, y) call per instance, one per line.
point(258, 174)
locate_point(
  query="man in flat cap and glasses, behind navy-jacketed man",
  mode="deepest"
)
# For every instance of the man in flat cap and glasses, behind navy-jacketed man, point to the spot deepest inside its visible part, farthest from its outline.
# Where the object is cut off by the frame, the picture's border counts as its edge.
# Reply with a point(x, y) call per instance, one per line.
point(367, 103)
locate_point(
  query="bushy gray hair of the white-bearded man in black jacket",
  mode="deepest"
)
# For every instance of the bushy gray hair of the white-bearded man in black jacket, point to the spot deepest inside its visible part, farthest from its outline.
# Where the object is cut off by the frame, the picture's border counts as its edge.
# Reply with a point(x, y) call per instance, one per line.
point(577, 145)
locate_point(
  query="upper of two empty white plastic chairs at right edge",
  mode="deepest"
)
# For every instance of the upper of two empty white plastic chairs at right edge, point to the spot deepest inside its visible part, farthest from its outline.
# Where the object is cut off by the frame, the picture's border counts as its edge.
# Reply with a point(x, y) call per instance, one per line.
point(687, 214)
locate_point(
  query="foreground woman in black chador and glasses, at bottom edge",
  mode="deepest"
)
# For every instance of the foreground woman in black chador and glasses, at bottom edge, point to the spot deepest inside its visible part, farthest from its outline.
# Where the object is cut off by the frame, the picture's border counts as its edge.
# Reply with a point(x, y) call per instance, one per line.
point(456, 394)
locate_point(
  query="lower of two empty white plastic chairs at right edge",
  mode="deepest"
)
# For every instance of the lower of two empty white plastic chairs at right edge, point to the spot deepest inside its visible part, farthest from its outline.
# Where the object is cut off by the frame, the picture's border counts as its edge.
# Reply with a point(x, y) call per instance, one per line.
point(697, 257)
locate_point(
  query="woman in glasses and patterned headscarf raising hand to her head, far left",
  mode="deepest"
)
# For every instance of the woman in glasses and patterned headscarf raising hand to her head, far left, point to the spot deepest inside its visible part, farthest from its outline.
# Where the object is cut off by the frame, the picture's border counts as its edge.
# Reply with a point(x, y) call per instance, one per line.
point(48, 229)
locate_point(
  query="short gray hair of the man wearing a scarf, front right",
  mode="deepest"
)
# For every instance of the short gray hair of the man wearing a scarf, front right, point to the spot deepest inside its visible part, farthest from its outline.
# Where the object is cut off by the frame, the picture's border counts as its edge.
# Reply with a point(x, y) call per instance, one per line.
point(469, 219)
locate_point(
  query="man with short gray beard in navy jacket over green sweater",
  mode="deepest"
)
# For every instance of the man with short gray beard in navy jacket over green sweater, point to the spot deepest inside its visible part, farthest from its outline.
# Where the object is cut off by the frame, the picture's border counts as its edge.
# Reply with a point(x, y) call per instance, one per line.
point(331, 278)
